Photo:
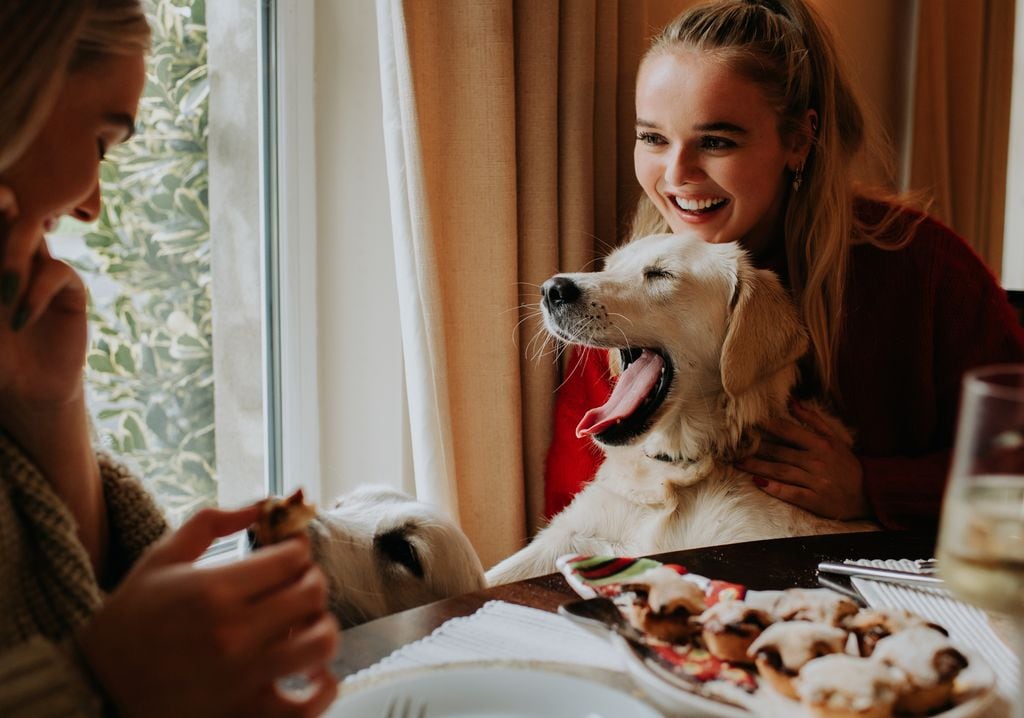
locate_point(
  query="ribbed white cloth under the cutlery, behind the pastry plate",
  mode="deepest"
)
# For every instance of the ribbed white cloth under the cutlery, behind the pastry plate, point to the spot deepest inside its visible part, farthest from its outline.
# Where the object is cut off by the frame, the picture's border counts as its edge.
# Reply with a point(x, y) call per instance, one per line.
point(968, 625)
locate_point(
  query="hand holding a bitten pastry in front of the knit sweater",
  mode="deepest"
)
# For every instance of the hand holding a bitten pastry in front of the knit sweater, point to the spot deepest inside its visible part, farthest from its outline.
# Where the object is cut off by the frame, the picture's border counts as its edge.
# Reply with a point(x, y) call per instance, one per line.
point(177, 640)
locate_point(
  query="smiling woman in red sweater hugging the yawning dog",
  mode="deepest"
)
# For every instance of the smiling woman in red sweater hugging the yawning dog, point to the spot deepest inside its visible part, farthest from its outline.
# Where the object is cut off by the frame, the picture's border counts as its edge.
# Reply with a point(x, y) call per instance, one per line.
point(747, 132)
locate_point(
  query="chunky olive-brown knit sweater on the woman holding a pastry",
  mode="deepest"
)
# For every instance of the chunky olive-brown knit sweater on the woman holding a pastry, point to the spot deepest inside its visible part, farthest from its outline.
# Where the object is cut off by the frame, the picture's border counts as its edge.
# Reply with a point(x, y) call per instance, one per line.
point(48, 586)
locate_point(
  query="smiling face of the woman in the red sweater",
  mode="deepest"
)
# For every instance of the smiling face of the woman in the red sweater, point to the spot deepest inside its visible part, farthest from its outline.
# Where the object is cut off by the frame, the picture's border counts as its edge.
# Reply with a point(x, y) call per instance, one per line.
point(709, 154)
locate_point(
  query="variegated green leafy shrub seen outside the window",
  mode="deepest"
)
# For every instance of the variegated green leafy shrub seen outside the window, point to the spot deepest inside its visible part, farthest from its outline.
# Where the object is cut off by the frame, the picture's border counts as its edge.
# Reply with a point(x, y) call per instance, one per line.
point(151, 364)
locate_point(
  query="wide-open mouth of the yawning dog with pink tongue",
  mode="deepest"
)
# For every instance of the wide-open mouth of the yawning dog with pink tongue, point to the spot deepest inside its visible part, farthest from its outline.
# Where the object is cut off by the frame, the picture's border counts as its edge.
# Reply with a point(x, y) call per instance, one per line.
point(642, 389)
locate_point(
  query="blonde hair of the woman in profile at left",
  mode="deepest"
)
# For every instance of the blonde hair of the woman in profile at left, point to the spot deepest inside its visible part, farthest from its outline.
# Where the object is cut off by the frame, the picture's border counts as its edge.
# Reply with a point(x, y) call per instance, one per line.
point(42, 40)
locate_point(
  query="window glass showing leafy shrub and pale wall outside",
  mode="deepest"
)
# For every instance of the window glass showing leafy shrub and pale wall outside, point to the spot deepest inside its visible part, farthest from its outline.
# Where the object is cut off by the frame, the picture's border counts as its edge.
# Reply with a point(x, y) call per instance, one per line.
point(176, 257)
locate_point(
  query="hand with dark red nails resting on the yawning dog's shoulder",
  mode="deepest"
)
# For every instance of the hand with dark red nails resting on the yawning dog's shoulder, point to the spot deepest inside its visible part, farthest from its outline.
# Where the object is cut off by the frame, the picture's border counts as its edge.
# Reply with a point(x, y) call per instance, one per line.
point(808, 466)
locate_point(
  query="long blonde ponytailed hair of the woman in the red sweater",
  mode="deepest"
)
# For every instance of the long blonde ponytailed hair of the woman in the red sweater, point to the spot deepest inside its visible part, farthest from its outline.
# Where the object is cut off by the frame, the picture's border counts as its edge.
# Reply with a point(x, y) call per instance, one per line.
point(788, 51)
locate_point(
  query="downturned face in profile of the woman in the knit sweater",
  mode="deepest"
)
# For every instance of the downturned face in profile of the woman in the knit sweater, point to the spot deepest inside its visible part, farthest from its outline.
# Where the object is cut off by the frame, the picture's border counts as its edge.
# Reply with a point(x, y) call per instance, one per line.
point(59, 174)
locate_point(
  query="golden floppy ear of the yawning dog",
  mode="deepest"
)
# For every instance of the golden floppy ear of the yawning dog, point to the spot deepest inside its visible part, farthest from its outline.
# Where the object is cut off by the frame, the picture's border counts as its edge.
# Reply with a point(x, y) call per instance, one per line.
point(764, 336)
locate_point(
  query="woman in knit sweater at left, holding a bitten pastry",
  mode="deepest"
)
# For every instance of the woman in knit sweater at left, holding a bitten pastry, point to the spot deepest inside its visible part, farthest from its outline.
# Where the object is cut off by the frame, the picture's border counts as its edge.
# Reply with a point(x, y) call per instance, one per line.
point(101, 610)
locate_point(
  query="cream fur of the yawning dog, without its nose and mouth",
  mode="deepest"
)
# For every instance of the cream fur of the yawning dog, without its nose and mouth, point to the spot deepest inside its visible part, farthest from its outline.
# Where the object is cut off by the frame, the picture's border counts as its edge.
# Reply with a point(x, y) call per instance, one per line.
point(734, 337)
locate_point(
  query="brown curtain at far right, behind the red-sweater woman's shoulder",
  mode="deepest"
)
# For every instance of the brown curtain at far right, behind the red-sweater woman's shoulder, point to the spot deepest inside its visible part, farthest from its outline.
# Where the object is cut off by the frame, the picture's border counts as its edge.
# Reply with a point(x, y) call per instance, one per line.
point(961, 123)
